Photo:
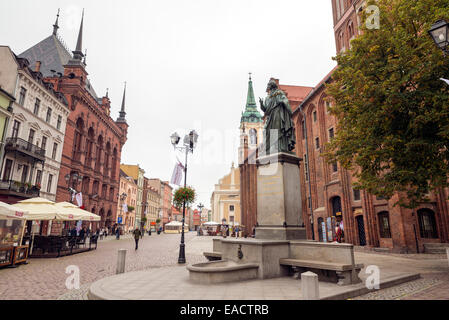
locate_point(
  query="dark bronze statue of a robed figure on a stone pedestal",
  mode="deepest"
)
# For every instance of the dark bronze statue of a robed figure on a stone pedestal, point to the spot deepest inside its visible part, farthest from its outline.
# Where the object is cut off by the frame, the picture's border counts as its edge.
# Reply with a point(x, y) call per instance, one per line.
point(278, 117)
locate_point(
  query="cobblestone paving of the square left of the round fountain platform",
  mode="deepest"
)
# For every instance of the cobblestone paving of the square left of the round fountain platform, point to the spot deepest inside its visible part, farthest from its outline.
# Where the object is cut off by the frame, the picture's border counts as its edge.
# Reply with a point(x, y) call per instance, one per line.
point(45, 278)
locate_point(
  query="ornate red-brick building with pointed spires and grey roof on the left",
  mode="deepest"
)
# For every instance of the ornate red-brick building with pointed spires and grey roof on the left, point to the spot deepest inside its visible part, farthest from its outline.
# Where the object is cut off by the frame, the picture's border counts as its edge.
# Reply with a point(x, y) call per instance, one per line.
point(93, 140)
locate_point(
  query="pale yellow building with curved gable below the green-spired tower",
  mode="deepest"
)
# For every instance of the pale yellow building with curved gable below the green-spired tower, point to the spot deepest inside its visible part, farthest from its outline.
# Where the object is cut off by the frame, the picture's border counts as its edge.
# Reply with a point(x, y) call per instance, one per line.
point(225, 200)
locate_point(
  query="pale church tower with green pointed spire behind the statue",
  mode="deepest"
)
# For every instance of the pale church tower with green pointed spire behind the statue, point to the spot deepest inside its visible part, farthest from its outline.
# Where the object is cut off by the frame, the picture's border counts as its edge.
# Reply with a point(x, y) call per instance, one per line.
point(251, 124)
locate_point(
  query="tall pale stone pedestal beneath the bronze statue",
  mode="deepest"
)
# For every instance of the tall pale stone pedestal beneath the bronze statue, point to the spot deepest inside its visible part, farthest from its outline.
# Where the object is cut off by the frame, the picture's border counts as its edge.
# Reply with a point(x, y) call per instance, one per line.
point(279, 212)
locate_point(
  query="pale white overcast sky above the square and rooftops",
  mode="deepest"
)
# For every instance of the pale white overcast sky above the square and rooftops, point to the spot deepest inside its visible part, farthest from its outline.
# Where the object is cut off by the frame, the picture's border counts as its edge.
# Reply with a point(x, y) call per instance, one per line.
point(186, 63)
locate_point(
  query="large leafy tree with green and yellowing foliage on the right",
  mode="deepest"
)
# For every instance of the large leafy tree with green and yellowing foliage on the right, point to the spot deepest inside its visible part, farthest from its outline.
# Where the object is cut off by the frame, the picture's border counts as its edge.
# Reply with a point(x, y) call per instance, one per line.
point(391, 107)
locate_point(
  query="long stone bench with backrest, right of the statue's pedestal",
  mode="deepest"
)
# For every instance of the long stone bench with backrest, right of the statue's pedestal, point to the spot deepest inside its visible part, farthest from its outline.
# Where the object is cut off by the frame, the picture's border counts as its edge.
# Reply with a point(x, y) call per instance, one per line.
point(332, 262)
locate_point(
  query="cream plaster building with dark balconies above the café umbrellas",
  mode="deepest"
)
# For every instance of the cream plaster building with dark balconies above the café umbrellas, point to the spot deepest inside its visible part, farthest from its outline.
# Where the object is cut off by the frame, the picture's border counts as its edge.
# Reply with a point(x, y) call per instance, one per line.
point(35, 134)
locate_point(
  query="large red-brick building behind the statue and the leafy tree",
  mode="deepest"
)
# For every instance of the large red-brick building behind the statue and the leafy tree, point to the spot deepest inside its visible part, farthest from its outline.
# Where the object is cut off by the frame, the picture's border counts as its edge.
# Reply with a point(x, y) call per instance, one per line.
point(326, 189)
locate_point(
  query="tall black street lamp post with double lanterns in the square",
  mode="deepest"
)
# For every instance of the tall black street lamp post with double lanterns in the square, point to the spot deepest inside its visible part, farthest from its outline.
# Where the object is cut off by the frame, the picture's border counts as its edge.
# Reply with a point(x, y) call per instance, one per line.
point(190, 141)
